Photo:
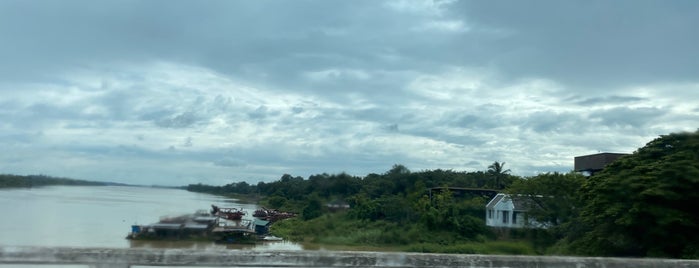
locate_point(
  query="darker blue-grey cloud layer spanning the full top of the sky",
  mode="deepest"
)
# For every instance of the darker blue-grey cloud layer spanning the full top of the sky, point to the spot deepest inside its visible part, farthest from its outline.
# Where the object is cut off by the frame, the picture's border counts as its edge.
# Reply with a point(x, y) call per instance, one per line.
point(578, 43)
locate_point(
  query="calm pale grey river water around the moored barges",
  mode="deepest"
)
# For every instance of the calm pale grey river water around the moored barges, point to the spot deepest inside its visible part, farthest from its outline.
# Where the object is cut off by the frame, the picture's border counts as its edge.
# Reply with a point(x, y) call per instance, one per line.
point(101, 216)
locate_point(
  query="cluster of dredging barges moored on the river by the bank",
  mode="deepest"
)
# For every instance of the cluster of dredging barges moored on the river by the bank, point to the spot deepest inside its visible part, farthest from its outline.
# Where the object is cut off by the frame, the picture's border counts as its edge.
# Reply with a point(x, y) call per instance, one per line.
point(224, 225)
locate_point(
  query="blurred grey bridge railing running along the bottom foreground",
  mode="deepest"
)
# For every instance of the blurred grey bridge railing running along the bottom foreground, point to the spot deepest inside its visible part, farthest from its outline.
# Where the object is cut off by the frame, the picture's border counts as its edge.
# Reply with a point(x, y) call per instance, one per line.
point(123, 258)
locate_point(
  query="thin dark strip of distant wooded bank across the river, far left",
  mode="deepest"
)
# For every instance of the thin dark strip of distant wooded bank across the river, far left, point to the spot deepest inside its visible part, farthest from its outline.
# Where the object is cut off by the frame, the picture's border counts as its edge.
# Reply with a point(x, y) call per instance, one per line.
point(17, 181)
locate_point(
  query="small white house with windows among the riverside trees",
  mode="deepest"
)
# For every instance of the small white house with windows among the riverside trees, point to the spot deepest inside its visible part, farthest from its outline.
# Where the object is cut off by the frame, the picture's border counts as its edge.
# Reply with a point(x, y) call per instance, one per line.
point(505, 211)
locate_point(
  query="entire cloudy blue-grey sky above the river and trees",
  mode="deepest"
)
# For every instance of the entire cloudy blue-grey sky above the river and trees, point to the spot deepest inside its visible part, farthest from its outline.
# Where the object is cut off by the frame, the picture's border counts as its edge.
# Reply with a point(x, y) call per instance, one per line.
point(214, 92)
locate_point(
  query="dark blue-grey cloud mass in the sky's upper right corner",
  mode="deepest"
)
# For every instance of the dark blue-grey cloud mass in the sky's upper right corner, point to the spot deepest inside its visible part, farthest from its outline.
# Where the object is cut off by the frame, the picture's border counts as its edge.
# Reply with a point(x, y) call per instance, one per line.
point(590, 46)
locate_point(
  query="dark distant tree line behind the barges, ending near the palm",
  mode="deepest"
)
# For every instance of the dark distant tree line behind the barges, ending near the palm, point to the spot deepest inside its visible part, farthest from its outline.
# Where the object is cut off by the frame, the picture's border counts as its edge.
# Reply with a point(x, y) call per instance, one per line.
point(399, 180)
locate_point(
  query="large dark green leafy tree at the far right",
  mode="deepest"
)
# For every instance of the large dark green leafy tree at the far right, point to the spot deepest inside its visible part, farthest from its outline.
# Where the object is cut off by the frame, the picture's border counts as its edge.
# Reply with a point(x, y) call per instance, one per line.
point(644, 204)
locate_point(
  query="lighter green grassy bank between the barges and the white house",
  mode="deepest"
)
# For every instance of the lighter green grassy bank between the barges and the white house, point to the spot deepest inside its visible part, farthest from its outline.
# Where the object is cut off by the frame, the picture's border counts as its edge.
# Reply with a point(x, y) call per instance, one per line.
point(337, 232)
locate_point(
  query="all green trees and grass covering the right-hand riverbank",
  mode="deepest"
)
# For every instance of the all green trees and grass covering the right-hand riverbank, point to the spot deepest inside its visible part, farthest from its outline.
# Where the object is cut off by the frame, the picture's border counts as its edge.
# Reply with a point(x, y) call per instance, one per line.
point(641, 205)
